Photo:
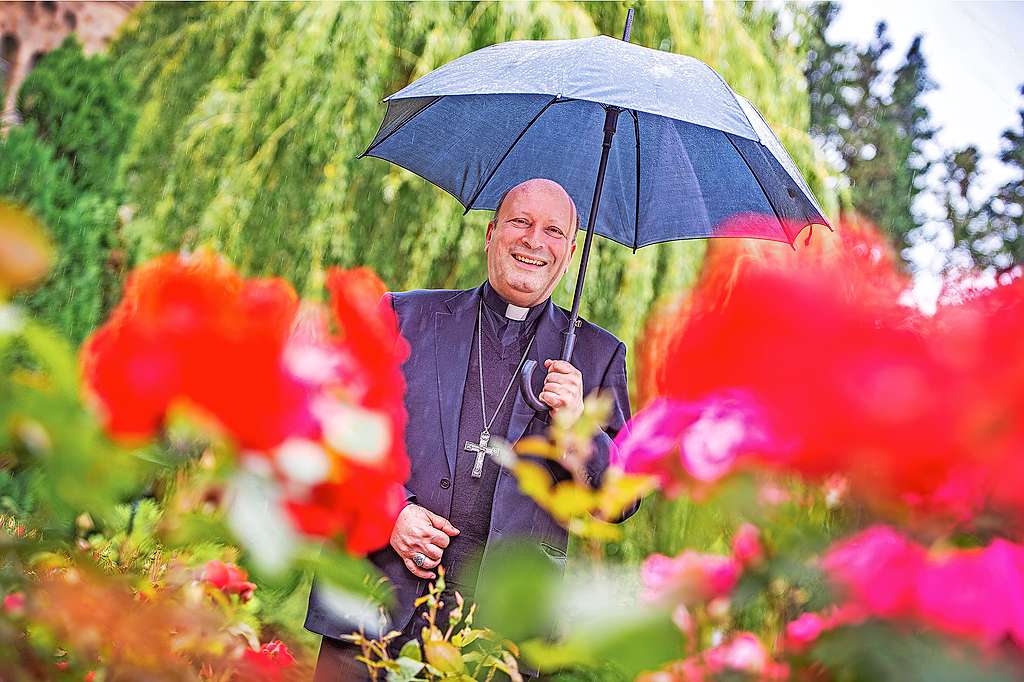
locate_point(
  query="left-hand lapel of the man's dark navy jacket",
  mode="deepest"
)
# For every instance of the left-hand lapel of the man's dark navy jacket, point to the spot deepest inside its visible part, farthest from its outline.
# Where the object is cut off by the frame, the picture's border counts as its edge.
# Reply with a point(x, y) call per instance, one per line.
point(454, 342)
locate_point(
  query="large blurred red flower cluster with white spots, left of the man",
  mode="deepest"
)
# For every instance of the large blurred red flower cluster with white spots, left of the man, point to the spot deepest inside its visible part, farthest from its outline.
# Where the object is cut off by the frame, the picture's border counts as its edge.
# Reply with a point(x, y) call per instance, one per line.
point(312, 399)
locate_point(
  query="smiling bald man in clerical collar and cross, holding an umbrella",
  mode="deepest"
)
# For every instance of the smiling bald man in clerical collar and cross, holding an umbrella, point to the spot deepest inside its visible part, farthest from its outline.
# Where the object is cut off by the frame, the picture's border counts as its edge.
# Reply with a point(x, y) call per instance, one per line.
point(462, 393)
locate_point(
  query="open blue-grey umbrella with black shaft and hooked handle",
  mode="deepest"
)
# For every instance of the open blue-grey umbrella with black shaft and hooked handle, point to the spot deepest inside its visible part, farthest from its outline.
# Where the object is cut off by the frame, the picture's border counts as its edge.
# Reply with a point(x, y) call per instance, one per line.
point(694, 159)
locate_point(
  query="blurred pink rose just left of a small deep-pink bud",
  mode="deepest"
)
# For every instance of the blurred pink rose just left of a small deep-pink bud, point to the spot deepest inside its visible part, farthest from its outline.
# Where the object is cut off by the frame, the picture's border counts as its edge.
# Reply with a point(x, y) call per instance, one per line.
point(690, 578)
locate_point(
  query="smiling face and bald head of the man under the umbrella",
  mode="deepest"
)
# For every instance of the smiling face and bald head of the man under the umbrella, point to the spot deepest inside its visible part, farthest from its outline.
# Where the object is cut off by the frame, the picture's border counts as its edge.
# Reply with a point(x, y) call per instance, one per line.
point(531, 242)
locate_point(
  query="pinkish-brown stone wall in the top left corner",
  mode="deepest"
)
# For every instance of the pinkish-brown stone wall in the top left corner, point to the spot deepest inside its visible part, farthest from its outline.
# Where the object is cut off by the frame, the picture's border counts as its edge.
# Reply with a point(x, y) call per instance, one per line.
point(29, 30)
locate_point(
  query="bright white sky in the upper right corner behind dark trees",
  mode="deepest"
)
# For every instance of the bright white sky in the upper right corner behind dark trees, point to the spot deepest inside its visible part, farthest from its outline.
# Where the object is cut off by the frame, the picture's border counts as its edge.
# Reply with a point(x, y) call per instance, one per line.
point(975, 56)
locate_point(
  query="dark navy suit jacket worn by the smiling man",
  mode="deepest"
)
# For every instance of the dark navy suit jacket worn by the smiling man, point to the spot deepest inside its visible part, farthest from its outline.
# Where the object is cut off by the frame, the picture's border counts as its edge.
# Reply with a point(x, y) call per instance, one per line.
point(439, 326)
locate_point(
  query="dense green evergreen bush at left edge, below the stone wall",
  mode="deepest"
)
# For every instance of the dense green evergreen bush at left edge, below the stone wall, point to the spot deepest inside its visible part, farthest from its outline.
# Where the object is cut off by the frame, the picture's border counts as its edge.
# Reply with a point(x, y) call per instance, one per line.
point(63, 164)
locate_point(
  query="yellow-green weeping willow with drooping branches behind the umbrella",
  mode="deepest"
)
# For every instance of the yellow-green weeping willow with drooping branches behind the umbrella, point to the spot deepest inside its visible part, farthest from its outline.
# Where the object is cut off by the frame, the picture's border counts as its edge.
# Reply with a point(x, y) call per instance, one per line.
point(253, 116)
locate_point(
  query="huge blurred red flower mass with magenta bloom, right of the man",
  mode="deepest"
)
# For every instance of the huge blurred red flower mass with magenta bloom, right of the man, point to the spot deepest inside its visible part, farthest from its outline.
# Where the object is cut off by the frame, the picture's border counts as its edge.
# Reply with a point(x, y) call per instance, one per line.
point(812, 363)
